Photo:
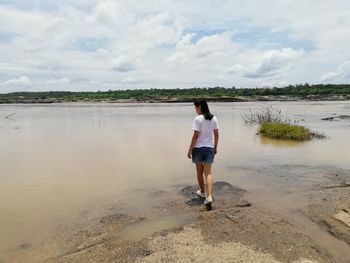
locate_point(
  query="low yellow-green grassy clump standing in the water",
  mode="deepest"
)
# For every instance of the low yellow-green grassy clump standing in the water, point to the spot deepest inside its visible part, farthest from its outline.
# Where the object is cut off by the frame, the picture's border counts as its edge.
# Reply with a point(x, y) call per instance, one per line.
point(287, 131)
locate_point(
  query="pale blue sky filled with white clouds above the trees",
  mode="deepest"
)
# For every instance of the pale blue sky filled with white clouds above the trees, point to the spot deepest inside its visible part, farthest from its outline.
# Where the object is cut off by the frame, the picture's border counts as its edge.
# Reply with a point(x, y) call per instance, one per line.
point(90, 45)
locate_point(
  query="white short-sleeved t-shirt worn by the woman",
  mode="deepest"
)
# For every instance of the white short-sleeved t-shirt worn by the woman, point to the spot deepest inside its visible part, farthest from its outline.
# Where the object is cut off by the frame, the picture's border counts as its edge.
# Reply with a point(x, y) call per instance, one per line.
point(206, 131)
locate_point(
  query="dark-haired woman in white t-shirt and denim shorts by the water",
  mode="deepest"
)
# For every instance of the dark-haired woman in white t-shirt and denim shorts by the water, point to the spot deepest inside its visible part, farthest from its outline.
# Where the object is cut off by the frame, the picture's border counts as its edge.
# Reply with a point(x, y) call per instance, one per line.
point(203, 146)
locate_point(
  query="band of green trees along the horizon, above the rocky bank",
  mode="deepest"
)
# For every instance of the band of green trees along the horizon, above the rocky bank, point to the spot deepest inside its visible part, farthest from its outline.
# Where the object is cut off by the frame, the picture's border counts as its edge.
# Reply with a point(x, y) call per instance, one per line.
point(207, 92)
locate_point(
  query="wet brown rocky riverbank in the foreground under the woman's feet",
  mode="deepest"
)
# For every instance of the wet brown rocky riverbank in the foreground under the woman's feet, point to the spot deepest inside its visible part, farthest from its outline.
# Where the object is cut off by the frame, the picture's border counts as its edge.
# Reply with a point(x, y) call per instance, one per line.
point(237, 229)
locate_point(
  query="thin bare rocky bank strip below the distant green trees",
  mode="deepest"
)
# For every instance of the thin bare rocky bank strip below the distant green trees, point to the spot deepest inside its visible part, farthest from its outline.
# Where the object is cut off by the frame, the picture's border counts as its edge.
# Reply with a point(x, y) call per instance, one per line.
point(183, 100)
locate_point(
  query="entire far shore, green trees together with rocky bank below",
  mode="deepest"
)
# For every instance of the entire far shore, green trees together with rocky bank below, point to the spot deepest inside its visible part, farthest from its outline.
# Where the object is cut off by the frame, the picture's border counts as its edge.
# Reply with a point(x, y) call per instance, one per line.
point(317, 92)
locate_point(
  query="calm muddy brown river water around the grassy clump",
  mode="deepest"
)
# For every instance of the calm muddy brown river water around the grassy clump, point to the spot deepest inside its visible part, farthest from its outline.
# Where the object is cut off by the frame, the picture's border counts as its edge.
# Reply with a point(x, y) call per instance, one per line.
point(64, 163)
